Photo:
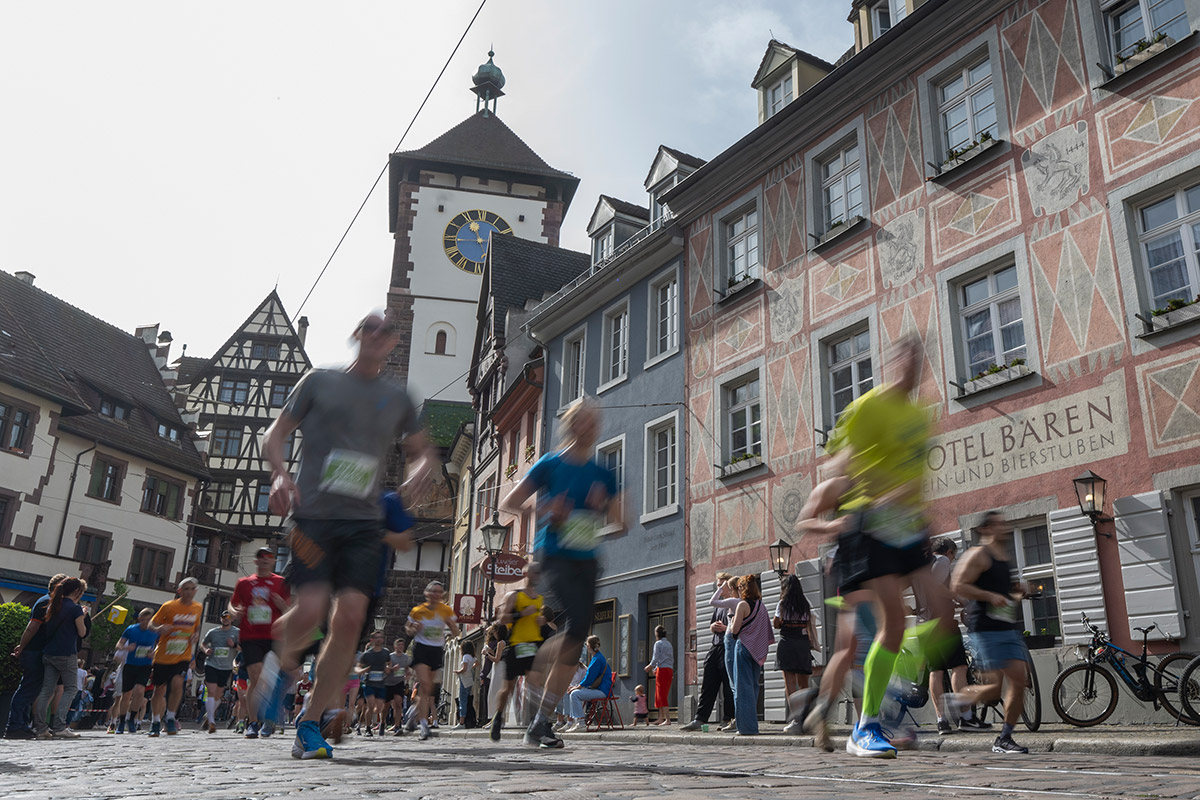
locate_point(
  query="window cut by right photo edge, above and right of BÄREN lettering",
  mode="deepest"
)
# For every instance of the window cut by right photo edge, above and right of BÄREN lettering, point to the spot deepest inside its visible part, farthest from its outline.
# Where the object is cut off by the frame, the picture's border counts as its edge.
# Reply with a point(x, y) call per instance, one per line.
point(1169, 234)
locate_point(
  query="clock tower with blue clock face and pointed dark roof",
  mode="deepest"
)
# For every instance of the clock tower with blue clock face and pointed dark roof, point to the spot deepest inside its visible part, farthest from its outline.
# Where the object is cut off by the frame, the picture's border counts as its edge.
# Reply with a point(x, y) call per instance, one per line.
point(448, 200)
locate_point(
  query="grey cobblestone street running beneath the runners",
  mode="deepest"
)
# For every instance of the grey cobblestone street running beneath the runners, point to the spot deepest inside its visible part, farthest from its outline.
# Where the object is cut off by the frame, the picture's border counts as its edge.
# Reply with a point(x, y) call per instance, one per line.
point(224, 767)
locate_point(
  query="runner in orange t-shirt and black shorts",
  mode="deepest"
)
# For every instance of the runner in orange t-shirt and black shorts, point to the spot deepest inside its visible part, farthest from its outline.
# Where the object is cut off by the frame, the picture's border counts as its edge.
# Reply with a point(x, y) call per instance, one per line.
point(178, 624)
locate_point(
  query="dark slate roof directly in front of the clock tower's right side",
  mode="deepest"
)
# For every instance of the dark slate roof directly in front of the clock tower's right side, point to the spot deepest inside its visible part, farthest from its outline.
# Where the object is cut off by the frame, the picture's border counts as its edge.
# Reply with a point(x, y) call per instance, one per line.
point(520, 270)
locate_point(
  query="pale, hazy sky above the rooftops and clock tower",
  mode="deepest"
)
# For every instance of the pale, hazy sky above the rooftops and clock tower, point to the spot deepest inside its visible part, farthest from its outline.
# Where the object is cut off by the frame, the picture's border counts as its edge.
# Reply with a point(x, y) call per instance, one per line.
point(173, 163)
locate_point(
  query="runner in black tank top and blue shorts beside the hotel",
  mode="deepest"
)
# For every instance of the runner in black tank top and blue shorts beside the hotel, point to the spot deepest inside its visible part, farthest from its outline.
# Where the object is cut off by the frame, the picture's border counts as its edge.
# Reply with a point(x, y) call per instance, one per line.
point(985, 578)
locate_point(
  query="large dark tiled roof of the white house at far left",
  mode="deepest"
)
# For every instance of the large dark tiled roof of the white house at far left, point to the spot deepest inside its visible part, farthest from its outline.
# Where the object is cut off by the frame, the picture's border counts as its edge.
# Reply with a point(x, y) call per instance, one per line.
point(59, 352)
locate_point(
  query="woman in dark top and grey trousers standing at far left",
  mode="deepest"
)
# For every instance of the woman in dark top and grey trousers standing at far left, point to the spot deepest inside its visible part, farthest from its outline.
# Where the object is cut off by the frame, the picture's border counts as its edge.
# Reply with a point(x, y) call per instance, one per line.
point(67, 624)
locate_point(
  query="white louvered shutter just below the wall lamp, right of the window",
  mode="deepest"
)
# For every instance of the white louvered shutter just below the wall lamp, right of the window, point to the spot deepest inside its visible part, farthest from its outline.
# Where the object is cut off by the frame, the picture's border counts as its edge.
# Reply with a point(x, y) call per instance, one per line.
point(1078, 572)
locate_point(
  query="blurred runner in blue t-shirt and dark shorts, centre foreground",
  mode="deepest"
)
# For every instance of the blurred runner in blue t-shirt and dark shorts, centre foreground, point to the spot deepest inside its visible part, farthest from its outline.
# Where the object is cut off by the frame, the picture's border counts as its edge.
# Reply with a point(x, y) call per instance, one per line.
point(579, 494)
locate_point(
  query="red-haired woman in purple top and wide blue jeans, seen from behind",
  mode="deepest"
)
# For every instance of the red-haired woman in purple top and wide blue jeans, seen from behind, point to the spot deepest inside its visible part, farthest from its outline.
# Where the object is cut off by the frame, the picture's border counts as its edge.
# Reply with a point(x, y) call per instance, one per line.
point(748, 640)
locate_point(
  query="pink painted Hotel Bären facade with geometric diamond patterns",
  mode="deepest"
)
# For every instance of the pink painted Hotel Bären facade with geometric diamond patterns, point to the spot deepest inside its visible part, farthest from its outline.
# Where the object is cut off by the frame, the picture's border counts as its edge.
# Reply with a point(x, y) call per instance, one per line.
point(1016, 184)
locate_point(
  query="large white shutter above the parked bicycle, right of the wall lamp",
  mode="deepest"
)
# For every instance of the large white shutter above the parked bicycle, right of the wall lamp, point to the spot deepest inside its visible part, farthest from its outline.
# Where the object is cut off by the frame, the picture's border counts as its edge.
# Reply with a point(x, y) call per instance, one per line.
point(1148, 566)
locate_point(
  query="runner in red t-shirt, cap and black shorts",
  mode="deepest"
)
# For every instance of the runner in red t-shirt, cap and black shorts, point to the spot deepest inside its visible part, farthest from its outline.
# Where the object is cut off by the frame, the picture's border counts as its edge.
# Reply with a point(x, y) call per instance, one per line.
point(259, 601)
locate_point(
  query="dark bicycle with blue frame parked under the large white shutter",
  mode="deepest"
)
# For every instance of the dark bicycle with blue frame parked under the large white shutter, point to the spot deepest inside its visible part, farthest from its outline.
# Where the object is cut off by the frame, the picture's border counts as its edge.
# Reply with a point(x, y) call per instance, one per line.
point(1087, 694)
